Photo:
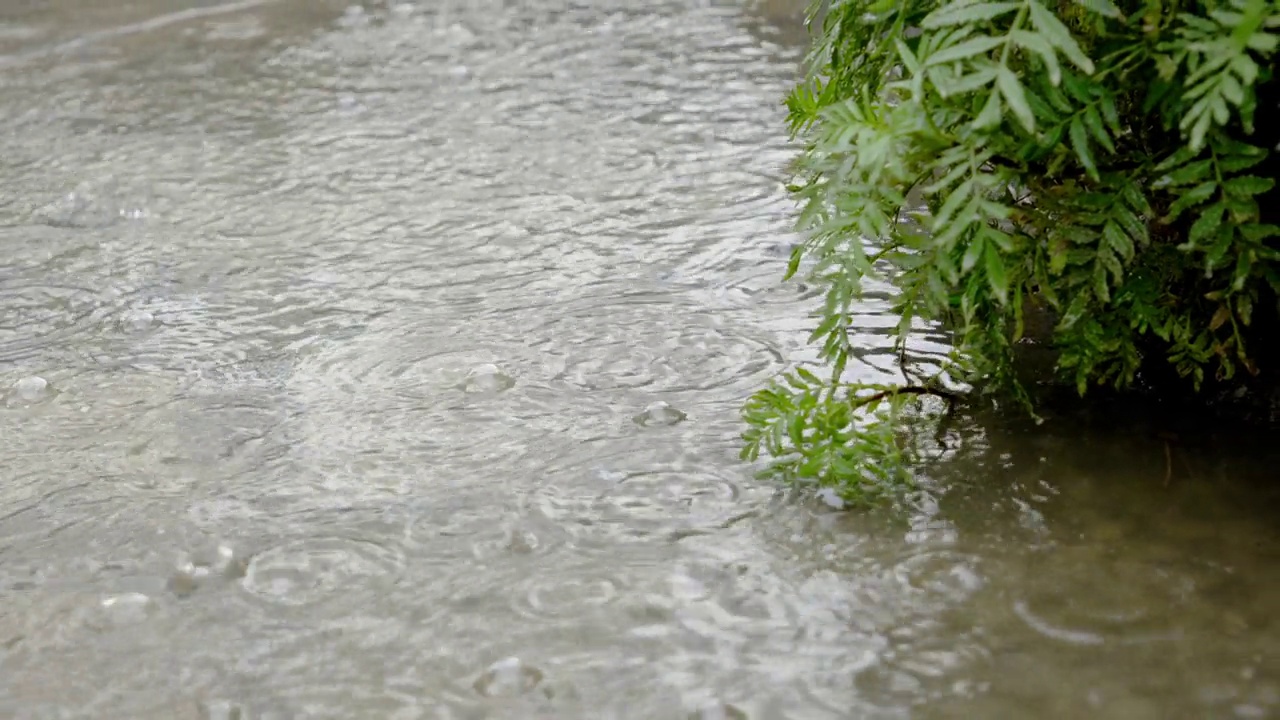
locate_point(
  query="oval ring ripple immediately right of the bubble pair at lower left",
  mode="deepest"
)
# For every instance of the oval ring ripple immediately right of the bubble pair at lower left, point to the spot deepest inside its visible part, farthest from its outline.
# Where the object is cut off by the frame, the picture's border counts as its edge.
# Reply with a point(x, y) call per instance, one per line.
point(312, 571)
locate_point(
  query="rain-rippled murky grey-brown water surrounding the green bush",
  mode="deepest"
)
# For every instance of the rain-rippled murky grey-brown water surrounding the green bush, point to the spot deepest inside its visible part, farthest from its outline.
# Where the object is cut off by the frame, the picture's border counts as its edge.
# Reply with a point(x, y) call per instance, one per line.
point(331, 345)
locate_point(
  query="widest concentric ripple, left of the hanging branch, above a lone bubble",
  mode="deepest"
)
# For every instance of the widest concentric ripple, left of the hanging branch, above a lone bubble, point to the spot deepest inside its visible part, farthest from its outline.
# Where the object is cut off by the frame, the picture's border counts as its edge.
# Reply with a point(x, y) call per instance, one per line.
point(651, 341)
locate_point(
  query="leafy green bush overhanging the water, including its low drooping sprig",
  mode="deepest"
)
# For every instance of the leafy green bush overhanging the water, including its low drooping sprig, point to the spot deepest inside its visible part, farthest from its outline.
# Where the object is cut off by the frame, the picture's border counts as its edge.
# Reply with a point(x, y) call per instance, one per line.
point(1092, 161)
